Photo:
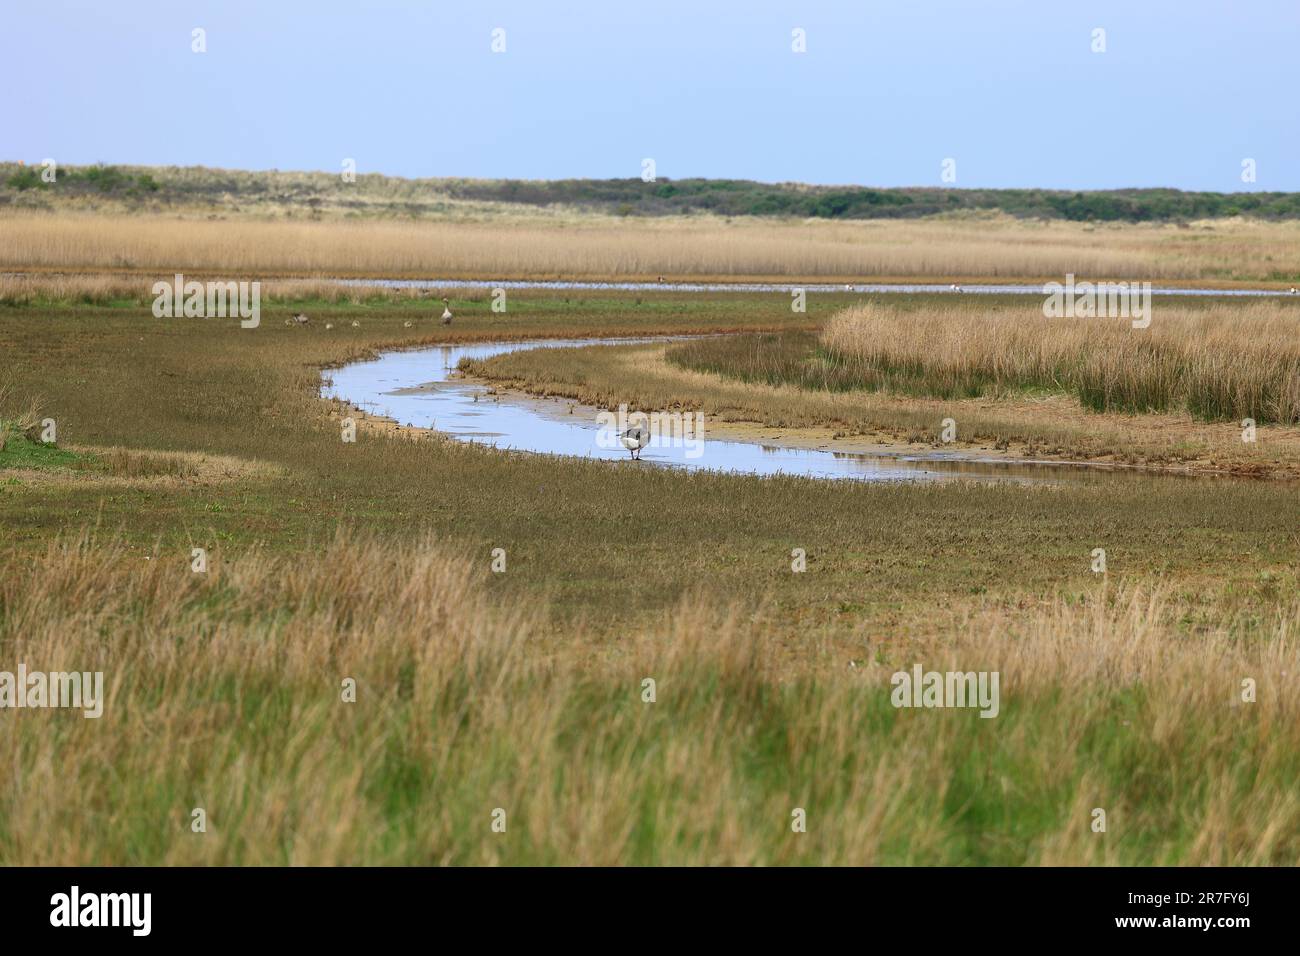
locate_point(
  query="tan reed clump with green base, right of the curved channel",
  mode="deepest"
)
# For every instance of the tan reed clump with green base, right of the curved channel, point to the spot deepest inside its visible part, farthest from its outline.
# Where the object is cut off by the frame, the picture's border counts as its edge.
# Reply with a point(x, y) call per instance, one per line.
point(1217, 364)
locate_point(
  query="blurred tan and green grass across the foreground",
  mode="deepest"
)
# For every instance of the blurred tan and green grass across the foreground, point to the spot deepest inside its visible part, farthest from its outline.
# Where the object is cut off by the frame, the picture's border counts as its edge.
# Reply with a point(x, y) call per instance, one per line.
point(224, 693)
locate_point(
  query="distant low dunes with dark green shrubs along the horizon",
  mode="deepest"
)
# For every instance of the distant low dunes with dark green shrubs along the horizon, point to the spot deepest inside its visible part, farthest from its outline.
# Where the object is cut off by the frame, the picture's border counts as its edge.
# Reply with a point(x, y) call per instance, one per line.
point(112, 188)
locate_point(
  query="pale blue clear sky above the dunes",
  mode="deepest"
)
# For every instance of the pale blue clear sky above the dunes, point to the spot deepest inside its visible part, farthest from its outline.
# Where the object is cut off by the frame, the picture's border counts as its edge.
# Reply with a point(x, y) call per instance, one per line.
point(886, 93)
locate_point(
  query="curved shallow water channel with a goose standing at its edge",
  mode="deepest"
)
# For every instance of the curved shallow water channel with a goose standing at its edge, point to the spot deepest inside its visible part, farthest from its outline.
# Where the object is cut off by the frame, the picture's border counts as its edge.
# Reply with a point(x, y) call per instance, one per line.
point(422, 388)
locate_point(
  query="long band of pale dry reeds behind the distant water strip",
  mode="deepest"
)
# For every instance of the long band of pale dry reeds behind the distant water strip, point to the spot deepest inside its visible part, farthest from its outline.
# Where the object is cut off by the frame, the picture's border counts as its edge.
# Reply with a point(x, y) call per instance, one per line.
point(682, 248)
